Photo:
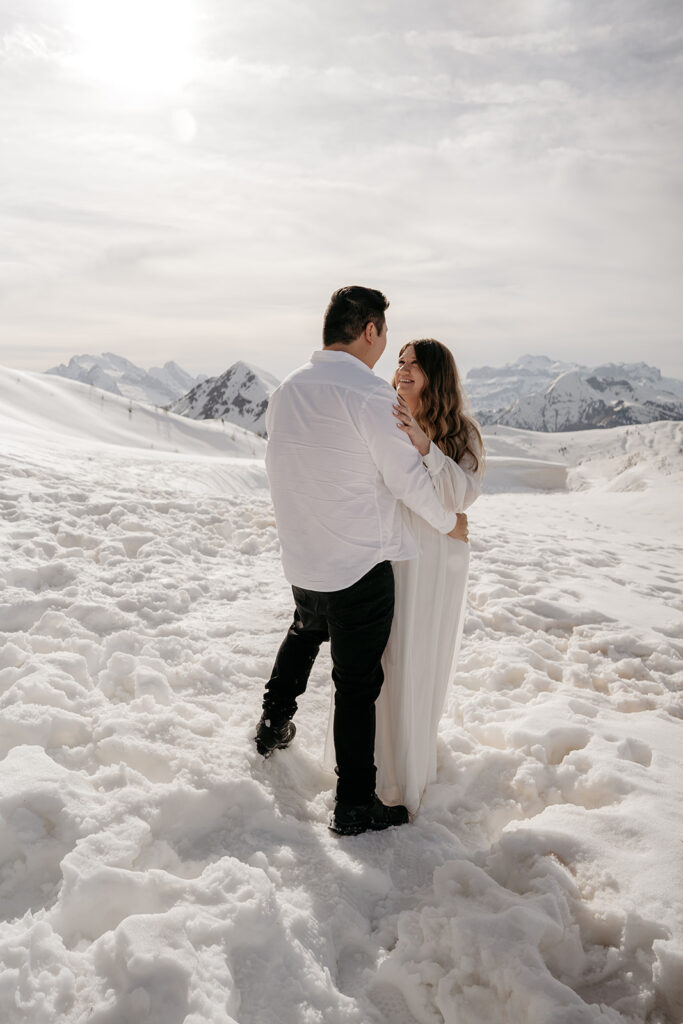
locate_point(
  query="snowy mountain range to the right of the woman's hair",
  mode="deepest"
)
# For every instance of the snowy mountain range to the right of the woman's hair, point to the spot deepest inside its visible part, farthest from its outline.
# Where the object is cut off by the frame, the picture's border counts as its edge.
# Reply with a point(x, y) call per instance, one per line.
point(538, 394)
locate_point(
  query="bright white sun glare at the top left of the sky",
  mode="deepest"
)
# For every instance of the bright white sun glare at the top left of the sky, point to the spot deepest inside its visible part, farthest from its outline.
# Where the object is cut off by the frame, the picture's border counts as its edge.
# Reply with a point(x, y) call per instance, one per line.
point(140, 49)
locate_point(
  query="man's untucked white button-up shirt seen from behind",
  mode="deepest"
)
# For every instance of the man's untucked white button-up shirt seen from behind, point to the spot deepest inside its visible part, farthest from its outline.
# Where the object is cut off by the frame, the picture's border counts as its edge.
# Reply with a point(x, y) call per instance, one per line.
point(337, 465)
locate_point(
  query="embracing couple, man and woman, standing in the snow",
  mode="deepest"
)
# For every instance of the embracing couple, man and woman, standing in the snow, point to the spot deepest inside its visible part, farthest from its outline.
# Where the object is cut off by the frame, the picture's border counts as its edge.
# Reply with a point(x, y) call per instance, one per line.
point(369, 486)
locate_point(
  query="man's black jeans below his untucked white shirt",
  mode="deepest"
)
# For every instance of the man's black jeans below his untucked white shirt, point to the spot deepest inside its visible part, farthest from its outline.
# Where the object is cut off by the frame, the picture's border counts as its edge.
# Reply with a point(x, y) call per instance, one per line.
point(357, 622)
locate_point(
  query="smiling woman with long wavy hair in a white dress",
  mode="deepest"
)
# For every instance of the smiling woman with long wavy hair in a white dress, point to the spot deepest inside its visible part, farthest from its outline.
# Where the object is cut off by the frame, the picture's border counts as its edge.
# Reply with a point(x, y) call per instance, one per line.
point(431, 589)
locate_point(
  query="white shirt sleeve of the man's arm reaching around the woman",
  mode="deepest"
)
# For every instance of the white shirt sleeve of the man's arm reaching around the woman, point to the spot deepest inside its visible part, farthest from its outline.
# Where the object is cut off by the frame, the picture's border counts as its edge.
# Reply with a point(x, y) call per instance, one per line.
point(400, 463)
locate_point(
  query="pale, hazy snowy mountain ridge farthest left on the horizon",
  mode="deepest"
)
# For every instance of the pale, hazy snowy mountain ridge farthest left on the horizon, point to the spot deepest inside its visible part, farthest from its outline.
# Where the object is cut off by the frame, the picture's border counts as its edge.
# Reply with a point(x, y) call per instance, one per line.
point(158, 387)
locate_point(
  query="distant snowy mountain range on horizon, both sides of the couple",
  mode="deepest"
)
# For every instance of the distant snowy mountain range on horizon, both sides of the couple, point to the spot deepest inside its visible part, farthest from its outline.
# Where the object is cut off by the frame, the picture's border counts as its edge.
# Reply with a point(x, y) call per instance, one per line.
point(534, 394)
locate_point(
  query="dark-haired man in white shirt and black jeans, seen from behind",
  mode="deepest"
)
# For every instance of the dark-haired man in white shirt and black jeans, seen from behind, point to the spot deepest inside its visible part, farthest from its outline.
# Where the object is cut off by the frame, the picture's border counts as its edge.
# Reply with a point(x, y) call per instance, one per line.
point(337, 466)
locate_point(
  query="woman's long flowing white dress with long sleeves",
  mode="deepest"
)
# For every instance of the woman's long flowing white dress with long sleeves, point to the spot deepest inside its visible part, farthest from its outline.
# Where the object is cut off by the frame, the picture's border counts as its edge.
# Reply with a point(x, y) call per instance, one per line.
point(420, 656)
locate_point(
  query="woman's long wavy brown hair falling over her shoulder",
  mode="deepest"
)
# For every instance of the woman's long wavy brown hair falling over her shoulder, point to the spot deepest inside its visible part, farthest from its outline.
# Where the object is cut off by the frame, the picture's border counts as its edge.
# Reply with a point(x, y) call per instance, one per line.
point(443, 410)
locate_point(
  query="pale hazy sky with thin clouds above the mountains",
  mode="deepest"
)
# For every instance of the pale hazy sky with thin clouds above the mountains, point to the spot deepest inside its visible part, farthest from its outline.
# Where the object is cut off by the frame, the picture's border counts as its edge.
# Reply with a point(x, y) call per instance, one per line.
point(192, 180)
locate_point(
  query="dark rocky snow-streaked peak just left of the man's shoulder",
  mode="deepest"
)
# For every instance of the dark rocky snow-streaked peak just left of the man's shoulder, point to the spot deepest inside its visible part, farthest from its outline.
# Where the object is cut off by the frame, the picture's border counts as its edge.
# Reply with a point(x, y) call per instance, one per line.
point(240, 396)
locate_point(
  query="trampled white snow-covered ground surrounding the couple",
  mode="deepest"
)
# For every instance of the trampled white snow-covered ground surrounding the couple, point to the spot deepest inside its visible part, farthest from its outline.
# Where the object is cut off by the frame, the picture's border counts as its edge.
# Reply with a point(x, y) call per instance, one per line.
point(154, 869)
